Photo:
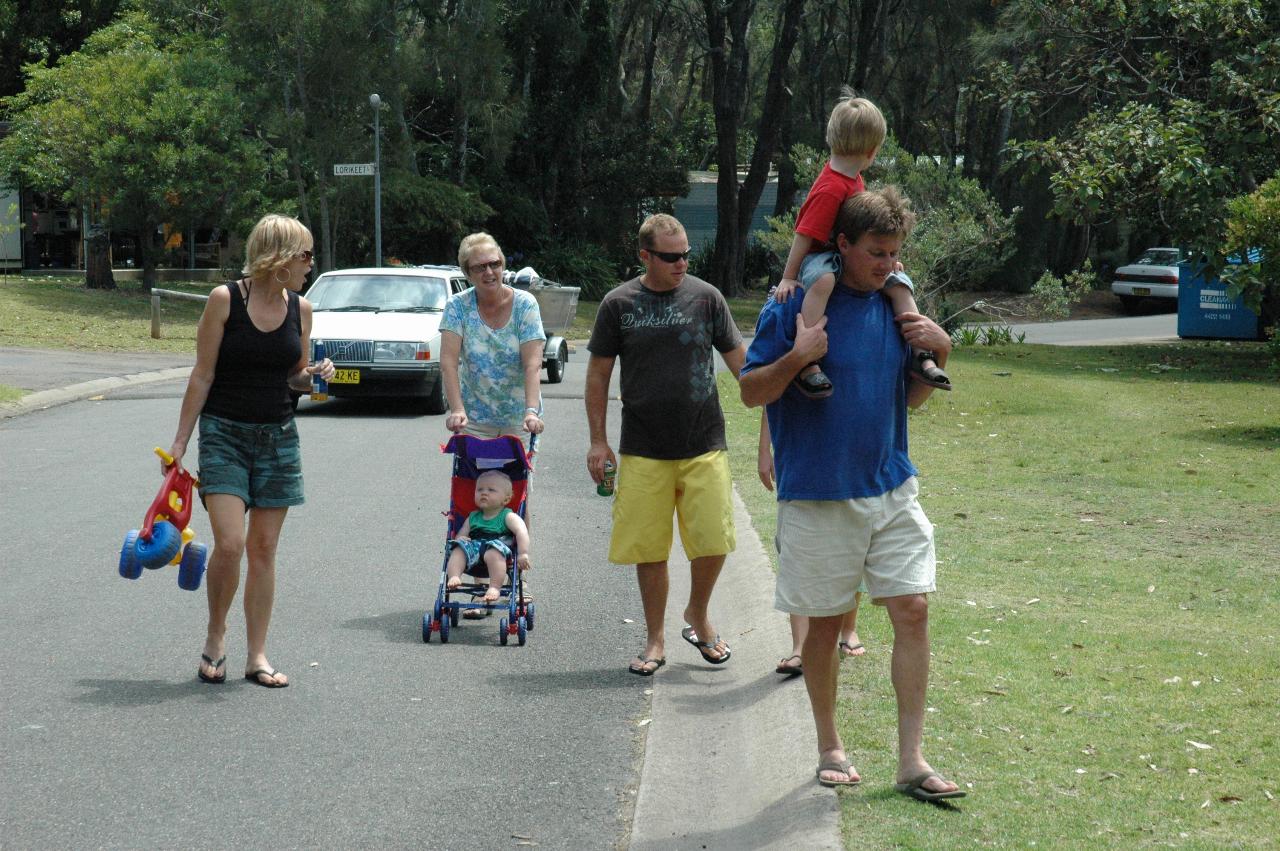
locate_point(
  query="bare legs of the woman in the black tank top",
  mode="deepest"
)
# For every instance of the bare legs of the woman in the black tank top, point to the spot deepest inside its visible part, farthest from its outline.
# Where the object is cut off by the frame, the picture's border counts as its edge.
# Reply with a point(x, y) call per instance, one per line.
point(222, 580)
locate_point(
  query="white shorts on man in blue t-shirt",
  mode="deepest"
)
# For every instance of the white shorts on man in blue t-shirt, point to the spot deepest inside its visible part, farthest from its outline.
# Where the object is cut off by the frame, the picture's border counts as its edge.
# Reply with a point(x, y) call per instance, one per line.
point(828, 548)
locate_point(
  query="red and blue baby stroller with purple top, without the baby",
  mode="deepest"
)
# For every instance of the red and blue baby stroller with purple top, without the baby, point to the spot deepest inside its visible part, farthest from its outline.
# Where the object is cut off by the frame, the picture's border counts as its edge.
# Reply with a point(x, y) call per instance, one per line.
point(472, 457)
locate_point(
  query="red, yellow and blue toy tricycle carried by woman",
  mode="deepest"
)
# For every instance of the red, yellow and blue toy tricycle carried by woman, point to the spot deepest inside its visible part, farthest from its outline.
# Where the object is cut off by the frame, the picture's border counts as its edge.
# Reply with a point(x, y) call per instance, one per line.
point(166, 537)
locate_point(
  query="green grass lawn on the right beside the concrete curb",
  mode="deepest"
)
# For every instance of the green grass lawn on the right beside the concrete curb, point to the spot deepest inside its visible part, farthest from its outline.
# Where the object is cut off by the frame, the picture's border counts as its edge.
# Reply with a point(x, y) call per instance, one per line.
point(1105, 634)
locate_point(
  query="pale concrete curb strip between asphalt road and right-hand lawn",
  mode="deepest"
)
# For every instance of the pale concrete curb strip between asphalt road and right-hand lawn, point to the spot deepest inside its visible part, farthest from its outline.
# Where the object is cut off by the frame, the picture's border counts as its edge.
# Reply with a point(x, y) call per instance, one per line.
point(730, 754)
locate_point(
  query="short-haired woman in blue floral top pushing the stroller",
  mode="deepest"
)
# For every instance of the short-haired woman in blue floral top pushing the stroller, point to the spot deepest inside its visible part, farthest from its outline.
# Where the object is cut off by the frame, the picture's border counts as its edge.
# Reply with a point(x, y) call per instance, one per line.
point(491, 349)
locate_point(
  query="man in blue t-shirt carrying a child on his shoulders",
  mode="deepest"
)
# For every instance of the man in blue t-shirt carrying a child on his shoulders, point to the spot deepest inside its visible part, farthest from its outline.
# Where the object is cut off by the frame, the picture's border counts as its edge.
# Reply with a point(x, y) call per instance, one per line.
point(847, 488)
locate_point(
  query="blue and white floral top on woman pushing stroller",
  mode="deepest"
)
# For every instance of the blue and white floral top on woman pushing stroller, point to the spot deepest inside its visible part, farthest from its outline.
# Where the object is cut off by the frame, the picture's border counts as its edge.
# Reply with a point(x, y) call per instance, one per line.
point(490, 372)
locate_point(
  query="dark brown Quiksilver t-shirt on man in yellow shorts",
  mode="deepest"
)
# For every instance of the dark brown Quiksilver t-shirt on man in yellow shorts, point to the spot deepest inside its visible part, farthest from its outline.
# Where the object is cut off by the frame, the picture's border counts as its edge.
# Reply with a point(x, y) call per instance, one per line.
point(670, 405)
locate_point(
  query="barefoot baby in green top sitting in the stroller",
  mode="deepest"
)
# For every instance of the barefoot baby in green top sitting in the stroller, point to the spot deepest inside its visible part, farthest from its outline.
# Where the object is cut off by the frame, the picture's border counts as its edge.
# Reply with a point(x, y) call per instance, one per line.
point(488, 537)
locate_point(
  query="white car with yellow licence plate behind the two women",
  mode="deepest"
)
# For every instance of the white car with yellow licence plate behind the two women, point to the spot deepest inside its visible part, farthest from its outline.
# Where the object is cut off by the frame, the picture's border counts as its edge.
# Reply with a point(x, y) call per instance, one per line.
point(382, 331)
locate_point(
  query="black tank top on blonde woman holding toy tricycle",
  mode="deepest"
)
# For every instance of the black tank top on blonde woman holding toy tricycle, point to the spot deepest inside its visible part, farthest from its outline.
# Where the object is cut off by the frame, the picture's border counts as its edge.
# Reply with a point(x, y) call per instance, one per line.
point(252, 379)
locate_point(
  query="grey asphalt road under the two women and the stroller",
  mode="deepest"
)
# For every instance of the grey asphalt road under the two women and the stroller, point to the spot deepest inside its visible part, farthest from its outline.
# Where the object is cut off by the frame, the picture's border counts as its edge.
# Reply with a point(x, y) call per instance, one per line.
point(381, 740)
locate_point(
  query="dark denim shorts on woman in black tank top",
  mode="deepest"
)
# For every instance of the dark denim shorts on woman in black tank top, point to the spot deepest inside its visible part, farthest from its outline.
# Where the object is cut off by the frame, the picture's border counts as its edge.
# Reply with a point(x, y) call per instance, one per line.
point(260, 463)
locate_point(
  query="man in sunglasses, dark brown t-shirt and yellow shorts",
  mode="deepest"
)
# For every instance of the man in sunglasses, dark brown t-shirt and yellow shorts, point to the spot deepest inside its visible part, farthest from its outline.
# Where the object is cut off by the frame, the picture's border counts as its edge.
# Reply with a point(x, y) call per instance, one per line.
point(665, 327)
